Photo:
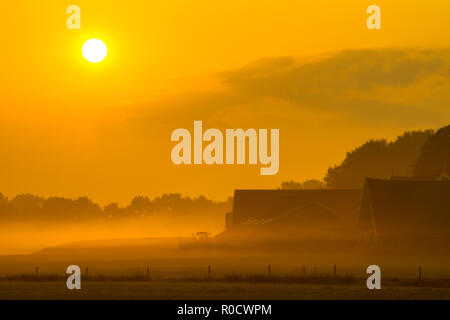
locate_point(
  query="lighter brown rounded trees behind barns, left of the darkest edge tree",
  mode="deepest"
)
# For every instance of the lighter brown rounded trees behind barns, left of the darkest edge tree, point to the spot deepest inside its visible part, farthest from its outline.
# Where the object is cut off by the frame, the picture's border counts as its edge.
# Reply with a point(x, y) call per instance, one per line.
point(377, 159)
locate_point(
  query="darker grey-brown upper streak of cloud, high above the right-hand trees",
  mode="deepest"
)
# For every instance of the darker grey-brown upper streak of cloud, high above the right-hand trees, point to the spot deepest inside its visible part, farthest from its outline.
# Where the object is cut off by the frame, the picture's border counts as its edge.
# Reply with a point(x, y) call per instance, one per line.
point(346, 70)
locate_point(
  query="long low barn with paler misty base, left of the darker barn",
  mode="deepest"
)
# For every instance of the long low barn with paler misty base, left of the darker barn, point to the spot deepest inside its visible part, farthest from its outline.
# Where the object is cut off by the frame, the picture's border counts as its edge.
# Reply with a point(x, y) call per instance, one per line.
point(292, 214)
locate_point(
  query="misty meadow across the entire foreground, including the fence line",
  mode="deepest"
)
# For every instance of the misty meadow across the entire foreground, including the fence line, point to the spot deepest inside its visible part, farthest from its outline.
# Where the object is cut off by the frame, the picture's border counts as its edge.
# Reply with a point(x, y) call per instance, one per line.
point(156, 269)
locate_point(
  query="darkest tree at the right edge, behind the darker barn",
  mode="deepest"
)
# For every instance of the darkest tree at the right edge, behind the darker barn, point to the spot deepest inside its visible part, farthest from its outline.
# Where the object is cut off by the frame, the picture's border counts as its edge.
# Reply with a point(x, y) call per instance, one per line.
point(434, 156)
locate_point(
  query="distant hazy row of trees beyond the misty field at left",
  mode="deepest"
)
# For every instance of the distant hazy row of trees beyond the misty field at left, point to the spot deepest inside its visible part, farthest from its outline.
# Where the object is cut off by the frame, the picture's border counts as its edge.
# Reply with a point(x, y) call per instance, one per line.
point(27, 207)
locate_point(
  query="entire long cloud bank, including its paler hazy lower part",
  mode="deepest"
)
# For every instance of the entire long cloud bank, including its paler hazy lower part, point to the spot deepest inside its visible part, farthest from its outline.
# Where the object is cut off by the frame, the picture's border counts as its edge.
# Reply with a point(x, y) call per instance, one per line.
point(375, 87)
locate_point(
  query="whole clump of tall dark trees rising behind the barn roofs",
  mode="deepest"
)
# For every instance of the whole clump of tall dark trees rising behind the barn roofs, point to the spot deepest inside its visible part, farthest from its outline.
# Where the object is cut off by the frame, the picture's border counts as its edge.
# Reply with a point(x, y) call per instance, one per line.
point(421, 154)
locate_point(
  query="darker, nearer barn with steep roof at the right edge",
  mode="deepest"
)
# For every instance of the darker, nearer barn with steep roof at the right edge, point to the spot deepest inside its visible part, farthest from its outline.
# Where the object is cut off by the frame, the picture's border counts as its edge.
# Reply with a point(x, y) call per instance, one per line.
point(405, 211)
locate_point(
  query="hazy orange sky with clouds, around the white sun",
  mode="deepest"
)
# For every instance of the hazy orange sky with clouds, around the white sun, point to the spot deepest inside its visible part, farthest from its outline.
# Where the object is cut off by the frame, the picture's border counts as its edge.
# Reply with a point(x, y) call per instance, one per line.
point(310, 68)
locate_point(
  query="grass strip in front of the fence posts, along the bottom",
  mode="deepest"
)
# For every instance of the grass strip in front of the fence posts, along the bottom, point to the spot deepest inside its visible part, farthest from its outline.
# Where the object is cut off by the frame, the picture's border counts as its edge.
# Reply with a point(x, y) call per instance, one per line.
point(210, 290)
